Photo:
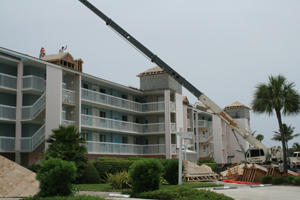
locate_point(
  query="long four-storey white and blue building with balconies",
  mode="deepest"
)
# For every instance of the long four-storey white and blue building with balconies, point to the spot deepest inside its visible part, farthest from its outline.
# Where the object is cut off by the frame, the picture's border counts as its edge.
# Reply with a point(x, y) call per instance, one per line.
point(37, 95)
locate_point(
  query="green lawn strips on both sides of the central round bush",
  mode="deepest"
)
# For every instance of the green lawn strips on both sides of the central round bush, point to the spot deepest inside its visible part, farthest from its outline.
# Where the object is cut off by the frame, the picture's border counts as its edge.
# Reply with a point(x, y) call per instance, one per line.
point(105, 187)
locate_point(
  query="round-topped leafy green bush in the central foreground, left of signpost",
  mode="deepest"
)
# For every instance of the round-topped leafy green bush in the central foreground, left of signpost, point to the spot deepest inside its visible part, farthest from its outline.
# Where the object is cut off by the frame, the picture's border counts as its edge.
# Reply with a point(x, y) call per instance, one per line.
point(145, 175)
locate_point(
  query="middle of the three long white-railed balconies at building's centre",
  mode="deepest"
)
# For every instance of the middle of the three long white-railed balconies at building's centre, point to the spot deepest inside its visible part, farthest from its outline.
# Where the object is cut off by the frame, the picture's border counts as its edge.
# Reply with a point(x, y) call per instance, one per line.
point(123, 126)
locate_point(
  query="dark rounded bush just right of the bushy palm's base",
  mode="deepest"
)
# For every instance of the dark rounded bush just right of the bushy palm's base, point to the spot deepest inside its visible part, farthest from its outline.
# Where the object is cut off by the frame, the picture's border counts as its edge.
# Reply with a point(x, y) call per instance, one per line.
point(90, 175)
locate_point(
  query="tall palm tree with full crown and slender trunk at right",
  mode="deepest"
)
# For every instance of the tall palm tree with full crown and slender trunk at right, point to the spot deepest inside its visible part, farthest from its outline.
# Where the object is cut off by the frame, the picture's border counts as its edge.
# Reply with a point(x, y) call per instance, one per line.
point(280, 96)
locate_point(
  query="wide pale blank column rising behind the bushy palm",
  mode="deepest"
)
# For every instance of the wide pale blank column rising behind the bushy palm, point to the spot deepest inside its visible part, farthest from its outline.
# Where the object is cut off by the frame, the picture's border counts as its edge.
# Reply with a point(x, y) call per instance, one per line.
point(53, 100)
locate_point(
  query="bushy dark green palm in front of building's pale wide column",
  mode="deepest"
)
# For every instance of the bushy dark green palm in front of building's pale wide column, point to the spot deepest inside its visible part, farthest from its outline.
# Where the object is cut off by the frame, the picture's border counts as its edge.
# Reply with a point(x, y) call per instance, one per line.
point(67, 143)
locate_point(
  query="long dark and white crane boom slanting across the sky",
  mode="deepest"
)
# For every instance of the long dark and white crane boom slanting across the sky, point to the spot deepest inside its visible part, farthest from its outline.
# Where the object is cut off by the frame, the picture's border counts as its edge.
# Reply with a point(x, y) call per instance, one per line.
point(199, 95)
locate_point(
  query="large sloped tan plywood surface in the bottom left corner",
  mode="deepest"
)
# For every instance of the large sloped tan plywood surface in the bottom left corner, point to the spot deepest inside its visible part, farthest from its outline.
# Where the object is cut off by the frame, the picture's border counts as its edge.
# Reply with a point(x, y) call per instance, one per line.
point(16, 181)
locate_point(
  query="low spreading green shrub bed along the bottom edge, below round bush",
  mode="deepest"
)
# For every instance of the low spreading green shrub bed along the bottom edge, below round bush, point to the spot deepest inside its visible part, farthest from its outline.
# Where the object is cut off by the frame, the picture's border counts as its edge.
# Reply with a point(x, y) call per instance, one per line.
point(182, 193)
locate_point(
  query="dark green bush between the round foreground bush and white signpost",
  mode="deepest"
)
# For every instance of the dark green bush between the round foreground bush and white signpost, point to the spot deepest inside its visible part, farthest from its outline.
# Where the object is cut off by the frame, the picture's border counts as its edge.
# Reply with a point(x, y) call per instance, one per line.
point(170, 172)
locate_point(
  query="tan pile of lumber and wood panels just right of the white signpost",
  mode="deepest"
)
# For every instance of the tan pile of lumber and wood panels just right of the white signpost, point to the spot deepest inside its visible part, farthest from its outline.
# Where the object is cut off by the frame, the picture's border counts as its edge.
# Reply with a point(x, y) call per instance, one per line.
point(194, 172)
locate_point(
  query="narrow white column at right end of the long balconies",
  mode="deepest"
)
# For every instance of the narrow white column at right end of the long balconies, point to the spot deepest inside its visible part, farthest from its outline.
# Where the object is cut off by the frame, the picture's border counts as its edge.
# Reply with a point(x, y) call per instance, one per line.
point(167, 124)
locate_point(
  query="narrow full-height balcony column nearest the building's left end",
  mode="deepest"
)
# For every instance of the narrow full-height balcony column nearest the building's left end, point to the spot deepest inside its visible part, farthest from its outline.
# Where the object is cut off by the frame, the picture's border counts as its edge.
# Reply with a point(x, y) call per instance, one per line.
point(19, 100)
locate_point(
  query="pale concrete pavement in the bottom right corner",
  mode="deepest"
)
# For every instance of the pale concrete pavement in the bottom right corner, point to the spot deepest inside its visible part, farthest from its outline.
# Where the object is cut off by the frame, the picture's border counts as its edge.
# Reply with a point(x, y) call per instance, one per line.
point(245, 192)
